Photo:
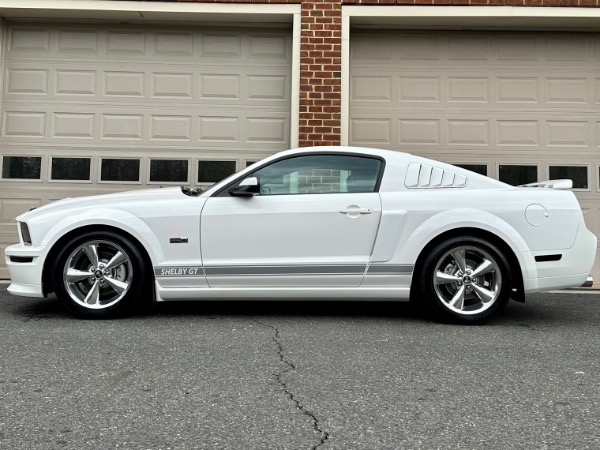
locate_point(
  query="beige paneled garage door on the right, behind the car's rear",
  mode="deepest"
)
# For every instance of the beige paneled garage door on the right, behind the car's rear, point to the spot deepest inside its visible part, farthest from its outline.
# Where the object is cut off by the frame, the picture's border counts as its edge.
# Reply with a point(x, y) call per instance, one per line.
point(516, 106)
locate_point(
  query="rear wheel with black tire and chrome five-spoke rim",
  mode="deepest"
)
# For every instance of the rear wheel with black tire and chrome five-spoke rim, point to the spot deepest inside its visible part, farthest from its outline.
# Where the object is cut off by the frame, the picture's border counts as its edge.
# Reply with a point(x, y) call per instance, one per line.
point(464, 280)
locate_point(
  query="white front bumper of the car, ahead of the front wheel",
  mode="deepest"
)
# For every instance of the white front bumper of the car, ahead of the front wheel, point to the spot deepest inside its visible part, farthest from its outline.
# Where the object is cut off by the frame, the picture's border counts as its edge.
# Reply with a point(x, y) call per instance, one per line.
point(25, 277)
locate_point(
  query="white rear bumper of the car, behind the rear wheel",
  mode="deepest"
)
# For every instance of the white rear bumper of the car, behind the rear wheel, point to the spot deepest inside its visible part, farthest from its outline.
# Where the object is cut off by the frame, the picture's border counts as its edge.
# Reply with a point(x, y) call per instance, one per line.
point(572, 270)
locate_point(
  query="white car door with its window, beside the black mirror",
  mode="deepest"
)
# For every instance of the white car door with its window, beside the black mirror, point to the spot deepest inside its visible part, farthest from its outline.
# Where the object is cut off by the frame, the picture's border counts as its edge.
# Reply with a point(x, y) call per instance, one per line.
point(312, 223)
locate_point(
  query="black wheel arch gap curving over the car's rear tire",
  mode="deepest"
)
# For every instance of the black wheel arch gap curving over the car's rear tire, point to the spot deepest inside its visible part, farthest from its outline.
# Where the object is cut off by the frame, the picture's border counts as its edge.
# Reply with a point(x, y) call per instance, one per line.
point(516, 276)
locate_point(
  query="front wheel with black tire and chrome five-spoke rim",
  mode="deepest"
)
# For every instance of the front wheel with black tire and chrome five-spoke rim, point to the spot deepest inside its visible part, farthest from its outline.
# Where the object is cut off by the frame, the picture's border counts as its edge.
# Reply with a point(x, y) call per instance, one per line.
point(99, 275)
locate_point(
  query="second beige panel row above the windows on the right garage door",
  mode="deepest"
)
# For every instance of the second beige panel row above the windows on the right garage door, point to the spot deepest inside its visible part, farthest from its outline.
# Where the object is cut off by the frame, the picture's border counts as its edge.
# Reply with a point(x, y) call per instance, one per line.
point(500, 89)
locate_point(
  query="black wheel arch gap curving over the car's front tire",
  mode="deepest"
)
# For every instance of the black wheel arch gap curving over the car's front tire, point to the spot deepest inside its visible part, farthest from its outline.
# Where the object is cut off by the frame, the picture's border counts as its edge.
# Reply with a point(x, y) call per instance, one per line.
point(47, 284)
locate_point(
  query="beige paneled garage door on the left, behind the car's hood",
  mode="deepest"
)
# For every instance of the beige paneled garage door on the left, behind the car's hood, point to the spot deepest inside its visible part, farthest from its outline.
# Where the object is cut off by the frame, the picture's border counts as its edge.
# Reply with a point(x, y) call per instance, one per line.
point(89, 109)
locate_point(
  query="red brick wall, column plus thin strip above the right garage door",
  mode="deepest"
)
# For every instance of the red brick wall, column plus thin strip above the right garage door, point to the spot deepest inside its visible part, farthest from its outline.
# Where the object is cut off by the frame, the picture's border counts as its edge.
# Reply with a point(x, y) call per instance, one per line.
point(320, 63)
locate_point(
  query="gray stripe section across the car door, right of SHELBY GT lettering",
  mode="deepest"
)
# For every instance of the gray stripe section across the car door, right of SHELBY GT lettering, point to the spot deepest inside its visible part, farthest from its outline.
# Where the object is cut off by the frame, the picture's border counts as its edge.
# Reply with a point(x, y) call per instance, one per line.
point(284, 270)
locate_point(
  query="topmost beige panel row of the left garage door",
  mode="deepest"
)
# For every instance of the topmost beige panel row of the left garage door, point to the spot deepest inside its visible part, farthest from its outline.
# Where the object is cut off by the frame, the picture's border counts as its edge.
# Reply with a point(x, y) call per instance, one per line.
point(149, 45)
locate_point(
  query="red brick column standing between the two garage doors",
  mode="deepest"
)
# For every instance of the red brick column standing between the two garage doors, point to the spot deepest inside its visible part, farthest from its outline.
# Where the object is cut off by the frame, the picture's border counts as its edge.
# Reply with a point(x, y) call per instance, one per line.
point(320, 72)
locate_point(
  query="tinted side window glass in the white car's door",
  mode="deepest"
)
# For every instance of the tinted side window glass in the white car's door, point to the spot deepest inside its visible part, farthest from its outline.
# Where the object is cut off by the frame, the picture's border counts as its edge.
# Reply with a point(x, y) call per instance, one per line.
point(319, 174)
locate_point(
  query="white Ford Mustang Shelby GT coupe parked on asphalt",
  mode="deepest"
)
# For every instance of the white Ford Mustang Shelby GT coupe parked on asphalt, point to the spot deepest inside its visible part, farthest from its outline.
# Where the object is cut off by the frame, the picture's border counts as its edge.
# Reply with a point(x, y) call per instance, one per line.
point(313, 223)
